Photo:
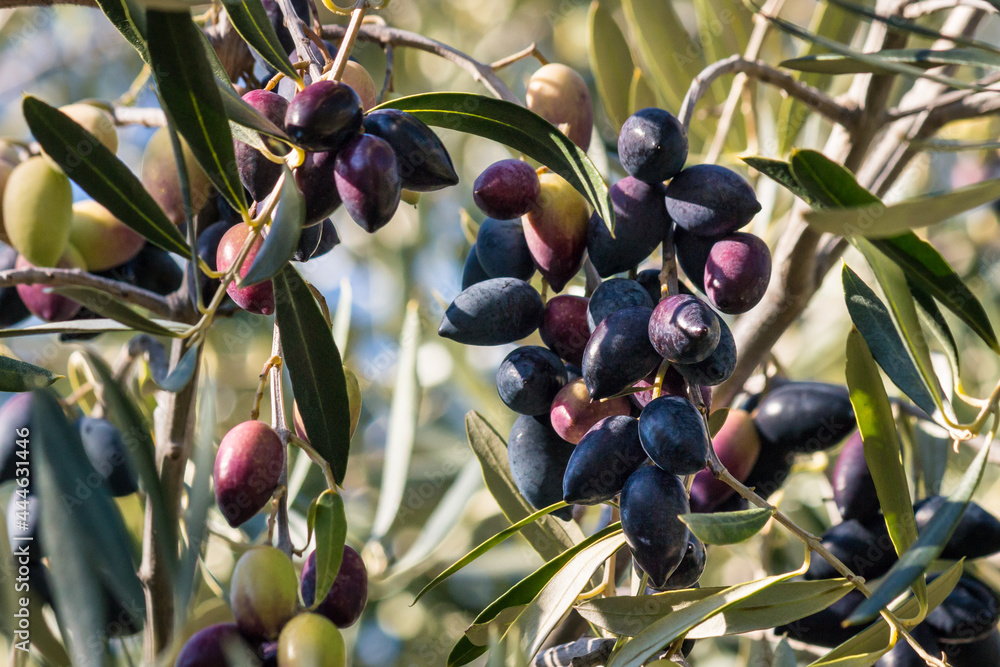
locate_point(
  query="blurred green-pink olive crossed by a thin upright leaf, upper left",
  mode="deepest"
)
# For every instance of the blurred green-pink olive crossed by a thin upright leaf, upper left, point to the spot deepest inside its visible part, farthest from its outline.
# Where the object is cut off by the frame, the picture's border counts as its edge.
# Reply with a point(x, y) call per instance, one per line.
point(159, 175)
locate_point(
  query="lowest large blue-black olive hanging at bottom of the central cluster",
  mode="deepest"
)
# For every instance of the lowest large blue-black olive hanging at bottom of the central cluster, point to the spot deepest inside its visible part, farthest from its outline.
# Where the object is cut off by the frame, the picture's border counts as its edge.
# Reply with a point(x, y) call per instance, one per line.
point(650, 504)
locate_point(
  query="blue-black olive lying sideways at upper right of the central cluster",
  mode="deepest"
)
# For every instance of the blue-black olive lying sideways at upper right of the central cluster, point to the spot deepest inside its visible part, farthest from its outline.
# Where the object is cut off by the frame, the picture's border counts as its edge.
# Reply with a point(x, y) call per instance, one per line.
point(709, 200)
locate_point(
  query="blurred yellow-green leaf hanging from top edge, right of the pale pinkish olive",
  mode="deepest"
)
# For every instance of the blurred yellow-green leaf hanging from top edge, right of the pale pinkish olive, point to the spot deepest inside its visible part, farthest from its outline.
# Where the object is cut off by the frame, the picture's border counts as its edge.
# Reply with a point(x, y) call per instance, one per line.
point(611, 63)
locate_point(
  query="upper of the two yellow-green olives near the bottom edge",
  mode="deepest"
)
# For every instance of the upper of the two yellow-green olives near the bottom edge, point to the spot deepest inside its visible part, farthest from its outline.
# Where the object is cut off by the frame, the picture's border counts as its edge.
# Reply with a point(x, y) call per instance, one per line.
point(263, 592)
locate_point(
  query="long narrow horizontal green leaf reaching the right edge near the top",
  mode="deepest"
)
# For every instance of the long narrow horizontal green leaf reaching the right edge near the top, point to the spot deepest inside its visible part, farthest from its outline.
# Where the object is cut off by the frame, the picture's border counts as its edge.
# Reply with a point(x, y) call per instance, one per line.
point(832, 63)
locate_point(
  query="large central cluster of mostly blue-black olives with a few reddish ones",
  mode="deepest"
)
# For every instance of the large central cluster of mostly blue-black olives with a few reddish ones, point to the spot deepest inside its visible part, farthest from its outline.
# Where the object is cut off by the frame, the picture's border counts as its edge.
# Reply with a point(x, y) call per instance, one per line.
point(609, 391)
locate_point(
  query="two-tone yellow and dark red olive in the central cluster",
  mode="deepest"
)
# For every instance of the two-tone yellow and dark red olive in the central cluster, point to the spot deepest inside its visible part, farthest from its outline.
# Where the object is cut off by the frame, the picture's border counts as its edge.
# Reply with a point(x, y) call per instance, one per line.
point(556, 230)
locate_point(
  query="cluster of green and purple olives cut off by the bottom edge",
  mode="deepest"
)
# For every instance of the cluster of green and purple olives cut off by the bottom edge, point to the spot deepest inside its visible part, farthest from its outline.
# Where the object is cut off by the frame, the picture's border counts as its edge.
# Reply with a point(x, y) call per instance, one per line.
point(276, 614)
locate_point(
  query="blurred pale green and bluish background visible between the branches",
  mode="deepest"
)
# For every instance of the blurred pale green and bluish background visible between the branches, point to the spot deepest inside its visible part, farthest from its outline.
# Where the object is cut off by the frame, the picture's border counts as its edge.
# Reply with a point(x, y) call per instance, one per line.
point(68, 53)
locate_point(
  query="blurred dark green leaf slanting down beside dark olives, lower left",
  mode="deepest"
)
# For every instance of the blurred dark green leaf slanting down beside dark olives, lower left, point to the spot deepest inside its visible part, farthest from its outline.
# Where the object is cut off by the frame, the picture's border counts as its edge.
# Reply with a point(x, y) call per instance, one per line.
point(139, 447)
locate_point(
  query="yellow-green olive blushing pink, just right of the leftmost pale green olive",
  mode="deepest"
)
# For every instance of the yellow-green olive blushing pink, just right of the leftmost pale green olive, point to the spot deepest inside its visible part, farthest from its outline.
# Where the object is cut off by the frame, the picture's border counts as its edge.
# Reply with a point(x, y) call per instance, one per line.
point(102, 240)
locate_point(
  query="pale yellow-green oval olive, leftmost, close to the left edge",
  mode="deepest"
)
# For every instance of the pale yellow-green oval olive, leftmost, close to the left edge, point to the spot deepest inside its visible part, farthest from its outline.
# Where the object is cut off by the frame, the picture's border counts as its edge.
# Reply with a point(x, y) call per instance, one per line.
point(37, 208)
